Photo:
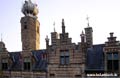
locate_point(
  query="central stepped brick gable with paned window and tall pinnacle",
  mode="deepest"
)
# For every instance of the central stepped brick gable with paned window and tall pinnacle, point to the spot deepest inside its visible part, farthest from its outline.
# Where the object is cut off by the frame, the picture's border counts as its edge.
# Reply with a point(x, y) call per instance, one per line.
point(65, 59)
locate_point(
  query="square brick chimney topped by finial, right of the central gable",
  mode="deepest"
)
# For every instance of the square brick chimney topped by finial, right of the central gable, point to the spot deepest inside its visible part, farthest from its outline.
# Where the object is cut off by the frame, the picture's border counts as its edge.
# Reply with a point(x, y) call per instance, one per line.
point(89, 35)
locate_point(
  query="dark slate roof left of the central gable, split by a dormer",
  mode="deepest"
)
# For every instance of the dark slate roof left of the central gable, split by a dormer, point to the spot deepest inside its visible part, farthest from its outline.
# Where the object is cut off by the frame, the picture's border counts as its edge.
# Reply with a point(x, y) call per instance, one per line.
point(39, 65)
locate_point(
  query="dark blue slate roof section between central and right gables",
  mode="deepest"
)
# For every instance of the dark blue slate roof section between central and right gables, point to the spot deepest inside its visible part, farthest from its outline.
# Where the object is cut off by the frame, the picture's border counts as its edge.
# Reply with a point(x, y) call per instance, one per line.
point(95, 58)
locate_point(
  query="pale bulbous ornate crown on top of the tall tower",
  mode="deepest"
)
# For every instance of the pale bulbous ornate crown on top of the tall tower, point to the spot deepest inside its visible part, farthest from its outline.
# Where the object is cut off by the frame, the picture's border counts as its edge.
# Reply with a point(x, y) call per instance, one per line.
point(29, 8)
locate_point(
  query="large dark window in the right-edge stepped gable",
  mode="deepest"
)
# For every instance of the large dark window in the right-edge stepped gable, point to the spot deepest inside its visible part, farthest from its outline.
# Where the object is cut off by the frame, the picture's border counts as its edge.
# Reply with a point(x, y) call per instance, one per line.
point(112, 61)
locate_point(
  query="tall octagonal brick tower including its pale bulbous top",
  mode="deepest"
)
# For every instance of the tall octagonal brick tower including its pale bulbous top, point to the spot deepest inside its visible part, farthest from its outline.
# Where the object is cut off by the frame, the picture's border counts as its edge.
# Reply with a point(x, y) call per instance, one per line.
point(30, 34)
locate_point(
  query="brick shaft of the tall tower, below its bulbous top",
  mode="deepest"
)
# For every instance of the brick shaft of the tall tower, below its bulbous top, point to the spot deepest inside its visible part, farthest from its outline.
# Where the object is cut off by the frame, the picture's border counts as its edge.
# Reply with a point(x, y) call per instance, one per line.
point(30, 34)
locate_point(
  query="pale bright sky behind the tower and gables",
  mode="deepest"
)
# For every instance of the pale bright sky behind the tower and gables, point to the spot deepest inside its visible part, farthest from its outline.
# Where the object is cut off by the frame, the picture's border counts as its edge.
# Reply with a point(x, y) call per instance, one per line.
point(104, 18)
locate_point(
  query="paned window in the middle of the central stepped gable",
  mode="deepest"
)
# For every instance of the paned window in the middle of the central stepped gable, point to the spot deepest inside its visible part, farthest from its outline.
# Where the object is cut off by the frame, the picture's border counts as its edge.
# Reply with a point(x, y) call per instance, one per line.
point(64, 57)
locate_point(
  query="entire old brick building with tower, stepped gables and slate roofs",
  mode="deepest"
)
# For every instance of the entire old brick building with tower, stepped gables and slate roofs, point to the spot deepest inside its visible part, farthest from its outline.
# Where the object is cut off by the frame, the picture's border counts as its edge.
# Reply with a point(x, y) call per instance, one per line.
point(61, 59)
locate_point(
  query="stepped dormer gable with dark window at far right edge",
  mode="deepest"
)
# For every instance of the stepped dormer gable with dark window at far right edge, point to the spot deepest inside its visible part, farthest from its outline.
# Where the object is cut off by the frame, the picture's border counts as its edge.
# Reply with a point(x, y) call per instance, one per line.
point(112, 55)
